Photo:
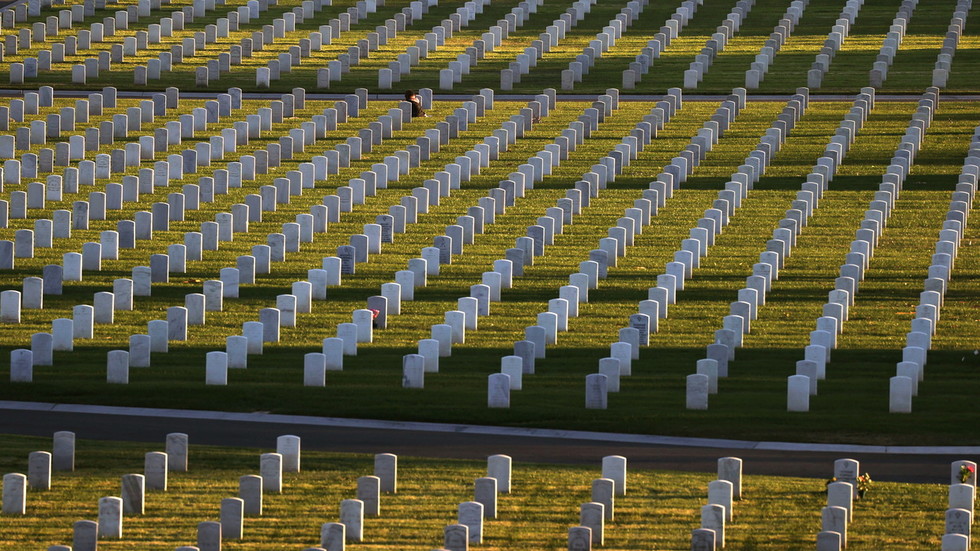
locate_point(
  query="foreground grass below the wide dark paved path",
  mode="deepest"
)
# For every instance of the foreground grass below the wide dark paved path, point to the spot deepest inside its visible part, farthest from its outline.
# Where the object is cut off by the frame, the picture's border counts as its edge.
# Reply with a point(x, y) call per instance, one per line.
point(658, 512)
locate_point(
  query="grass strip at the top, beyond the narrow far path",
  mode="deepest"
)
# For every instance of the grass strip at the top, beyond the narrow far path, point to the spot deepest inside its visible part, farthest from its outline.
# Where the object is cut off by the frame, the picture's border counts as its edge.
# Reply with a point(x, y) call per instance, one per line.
point(912, 69)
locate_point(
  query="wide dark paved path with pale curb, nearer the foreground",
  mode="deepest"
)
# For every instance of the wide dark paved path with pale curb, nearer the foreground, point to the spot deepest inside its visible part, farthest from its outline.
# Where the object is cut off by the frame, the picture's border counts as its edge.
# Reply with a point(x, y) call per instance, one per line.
point(908, 464)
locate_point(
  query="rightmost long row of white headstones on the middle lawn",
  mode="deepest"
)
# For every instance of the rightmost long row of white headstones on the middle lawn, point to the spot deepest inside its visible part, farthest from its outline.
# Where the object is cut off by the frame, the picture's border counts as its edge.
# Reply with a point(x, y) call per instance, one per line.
point(911, 370)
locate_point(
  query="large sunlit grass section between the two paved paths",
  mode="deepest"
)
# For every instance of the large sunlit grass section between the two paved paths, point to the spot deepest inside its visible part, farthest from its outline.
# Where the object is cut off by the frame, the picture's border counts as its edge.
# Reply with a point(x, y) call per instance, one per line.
point(852, 405)
